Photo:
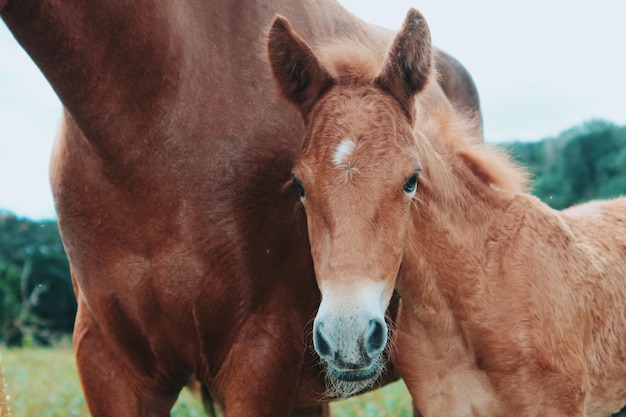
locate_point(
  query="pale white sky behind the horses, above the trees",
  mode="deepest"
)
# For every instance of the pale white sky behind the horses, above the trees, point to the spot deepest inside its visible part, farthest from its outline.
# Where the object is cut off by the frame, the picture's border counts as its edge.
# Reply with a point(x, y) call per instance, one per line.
point(541, 66)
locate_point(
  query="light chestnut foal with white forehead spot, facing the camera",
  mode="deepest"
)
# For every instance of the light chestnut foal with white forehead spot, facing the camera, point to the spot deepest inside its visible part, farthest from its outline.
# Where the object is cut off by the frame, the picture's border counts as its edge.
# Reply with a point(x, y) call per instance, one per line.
point(509, 308)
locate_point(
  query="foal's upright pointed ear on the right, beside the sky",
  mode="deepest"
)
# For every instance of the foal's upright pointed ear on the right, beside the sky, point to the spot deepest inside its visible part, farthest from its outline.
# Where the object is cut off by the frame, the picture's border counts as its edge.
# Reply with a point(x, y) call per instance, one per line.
point(408, 63)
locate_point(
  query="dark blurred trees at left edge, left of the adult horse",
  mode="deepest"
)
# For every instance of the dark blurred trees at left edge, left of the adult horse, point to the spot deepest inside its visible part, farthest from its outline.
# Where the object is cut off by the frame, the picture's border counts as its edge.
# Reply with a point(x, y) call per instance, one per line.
point(35, 286)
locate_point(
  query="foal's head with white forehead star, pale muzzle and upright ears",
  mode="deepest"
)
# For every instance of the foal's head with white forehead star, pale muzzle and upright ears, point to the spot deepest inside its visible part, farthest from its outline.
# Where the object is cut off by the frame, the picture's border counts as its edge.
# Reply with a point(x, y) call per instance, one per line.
point(357, 175)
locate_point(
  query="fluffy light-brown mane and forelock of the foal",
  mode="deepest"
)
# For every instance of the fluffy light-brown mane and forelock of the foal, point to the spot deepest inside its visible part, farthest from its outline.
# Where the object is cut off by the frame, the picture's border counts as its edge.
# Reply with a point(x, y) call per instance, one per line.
point(350, 62)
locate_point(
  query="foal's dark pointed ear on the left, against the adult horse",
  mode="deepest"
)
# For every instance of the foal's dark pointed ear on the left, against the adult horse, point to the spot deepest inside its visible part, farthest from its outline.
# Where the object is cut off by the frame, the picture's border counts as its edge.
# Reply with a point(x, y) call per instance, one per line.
point(300, 78)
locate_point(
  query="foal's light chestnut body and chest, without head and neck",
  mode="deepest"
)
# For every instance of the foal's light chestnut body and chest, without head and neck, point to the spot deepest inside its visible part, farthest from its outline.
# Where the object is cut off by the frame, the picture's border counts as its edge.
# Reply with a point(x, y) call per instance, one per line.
point(530, 317)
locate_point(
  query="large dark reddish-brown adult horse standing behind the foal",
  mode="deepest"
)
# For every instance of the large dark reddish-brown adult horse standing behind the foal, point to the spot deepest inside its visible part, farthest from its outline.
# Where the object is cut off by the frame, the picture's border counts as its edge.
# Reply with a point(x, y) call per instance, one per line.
point(187, 253)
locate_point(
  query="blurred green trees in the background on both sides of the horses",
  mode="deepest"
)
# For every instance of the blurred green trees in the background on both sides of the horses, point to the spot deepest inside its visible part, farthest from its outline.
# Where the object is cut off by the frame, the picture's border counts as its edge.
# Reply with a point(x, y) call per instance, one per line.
point(36, 294)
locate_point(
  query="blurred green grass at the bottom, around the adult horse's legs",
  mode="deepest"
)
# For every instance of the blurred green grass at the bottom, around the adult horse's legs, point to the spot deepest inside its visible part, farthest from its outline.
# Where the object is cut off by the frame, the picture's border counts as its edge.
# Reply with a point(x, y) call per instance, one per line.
point(44, 383)
